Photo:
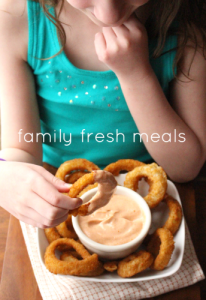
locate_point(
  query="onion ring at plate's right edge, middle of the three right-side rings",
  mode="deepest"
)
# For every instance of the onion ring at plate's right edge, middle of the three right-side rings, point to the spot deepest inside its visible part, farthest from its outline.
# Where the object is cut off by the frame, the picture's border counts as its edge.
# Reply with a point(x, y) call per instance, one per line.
point(175, 215)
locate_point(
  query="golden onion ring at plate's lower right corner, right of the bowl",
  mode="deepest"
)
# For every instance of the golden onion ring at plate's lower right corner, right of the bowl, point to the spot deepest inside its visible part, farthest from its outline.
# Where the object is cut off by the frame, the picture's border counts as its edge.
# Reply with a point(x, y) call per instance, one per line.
point(161, 246)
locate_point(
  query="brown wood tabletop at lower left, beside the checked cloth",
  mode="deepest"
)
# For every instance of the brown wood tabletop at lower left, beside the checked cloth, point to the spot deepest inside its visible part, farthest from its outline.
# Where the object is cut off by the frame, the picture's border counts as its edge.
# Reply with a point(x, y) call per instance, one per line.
point(18, 282)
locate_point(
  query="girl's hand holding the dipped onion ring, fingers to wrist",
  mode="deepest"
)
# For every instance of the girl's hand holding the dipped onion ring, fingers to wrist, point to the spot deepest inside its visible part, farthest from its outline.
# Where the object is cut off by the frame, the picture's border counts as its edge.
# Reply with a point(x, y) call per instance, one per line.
point(33, 195)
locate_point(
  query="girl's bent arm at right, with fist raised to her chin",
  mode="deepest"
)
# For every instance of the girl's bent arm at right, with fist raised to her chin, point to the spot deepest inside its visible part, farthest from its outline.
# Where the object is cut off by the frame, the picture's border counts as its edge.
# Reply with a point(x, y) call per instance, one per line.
point(125, 51)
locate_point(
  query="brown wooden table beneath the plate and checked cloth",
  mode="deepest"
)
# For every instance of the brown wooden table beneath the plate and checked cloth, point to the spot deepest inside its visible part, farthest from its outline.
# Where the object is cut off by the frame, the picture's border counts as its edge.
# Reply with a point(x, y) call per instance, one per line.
point(18, 281)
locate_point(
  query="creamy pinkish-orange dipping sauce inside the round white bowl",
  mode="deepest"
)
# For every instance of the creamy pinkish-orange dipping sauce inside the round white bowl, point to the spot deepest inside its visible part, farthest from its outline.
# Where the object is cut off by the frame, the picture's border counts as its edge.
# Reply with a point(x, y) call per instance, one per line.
point(118, 222)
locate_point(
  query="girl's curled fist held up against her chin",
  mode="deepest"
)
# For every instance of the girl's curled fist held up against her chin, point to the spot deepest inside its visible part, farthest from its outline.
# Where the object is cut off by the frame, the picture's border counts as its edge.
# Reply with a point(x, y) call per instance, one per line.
point(124, 49)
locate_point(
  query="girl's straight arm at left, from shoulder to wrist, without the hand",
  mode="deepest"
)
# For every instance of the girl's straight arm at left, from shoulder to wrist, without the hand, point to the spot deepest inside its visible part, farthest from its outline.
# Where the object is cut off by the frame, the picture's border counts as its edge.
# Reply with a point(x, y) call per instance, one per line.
point(17, 90)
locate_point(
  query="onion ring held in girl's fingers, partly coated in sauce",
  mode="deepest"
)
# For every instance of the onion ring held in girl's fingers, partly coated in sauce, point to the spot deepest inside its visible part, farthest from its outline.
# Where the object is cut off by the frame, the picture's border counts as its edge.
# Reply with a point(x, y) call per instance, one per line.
point(106, 187)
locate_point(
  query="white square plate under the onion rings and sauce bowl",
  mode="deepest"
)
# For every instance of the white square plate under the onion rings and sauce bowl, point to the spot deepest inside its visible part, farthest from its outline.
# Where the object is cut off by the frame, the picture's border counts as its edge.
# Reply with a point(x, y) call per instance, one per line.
point(159, 216)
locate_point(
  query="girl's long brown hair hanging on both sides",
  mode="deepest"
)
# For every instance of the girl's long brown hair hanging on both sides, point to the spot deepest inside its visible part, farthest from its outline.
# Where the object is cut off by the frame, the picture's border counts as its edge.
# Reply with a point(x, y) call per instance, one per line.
point(190, 16)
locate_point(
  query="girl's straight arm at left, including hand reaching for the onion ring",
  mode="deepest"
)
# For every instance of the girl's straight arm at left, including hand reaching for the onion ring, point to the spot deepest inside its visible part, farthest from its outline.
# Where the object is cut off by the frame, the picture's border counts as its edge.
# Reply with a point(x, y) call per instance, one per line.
point(27, 191)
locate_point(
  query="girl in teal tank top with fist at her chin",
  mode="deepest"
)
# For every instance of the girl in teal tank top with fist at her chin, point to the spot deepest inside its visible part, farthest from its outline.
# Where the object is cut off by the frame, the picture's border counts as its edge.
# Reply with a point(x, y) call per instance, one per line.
point(90, 73)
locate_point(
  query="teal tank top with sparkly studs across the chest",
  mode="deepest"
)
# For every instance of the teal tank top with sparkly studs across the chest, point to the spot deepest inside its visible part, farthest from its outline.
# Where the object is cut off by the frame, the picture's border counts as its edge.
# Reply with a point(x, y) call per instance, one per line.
point(74, 102)
